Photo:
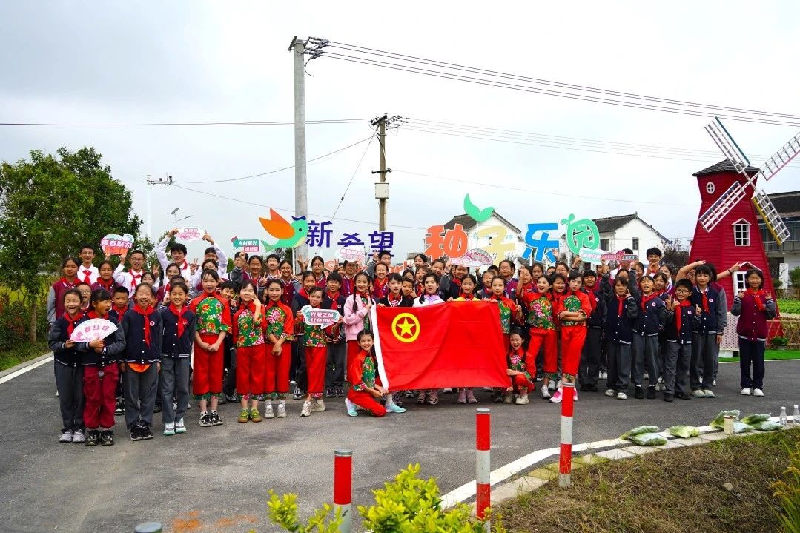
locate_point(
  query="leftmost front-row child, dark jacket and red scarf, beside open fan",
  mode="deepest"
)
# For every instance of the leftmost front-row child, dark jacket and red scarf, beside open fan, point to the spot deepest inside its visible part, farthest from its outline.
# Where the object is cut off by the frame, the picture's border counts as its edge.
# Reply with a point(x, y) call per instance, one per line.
point(68, 370)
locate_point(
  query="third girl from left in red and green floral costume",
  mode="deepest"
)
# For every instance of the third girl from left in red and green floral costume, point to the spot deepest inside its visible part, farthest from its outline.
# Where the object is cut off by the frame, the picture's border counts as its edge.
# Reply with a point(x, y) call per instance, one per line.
point(279, 331)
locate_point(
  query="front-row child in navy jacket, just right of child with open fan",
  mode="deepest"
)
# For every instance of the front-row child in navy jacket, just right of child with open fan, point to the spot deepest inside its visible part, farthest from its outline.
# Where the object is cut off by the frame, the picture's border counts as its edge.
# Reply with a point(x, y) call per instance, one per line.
point(142, 361)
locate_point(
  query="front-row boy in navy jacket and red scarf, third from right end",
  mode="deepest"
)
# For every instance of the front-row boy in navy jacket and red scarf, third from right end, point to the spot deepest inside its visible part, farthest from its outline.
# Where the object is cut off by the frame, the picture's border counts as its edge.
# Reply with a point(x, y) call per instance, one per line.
point(682, 321)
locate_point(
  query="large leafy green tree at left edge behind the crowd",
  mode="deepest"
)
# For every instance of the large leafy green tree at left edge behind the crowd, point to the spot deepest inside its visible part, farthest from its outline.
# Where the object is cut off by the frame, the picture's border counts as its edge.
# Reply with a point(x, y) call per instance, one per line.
point(50, 205)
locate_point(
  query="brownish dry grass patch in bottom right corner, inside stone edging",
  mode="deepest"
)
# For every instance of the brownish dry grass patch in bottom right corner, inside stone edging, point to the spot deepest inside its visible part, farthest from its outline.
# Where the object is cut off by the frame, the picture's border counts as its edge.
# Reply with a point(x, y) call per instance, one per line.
point(670, 491)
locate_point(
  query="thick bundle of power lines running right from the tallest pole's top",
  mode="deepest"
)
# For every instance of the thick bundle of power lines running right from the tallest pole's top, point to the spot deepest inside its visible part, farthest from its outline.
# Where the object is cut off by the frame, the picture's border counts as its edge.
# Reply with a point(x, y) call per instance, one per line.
point(492, 78)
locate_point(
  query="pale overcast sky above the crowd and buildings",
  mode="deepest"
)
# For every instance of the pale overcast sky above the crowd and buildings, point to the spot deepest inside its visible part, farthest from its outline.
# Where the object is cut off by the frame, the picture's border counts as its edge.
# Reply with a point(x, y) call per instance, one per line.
point(94, 68)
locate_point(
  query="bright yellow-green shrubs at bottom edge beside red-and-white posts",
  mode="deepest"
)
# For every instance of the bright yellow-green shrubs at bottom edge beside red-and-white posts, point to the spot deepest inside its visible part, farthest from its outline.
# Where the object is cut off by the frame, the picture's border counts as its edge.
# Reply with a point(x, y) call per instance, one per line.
point(406, 505)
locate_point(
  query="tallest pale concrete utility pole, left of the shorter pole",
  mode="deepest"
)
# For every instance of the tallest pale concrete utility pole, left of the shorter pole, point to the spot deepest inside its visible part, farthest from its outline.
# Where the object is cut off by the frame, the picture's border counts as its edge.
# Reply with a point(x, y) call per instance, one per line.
point(300, 180)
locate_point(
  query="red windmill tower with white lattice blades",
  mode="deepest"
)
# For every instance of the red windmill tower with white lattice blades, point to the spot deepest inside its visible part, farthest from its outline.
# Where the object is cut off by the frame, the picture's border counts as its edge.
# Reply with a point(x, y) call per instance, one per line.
point(727, 229)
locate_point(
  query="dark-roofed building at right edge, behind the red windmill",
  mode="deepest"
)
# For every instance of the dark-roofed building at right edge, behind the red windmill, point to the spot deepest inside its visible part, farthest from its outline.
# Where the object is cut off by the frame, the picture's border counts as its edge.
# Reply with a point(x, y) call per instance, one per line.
point(785, 257)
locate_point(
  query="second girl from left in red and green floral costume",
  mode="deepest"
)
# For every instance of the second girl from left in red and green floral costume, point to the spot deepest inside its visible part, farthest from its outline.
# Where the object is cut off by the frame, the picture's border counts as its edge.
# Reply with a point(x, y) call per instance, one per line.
point(251, 354)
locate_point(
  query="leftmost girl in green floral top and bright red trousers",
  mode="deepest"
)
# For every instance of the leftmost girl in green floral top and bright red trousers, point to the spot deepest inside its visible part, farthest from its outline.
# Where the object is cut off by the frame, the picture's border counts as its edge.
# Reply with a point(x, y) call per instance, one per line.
point(213, 324)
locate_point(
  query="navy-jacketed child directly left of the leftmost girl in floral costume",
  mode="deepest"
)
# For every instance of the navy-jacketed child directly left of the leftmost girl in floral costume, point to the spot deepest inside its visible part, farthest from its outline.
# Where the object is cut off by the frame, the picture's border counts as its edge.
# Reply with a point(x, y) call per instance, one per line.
point(179, 329)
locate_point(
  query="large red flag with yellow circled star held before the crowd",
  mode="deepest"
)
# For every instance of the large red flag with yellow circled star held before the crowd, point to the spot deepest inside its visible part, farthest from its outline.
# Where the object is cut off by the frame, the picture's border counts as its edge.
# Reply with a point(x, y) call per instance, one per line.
point(455, 344)
